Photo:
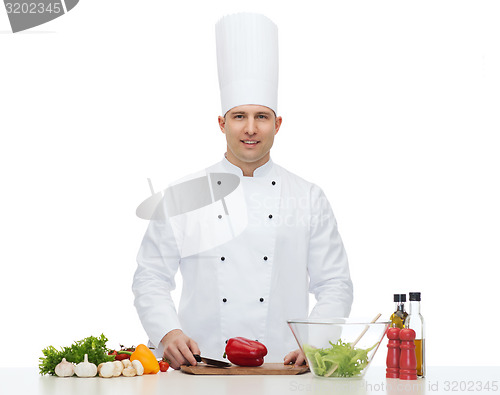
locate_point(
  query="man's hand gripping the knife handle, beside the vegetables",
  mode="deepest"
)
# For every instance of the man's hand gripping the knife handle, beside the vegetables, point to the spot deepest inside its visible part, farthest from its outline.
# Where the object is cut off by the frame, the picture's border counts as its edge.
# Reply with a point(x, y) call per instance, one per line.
point(179, 349)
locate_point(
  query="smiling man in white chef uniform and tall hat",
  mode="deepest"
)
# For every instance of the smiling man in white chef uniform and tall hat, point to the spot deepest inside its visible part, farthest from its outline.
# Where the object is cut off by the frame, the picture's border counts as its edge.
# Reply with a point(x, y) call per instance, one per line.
point(262, 240)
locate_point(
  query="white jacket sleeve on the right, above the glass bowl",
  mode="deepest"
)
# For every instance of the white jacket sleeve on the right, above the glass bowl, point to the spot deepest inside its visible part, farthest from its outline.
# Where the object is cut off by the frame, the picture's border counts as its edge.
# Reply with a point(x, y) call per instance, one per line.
point(329, 277)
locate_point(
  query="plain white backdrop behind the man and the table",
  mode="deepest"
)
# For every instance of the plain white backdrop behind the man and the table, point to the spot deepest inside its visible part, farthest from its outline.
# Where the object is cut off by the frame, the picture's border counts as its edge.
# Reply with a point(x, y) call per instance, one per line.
point(391, 107)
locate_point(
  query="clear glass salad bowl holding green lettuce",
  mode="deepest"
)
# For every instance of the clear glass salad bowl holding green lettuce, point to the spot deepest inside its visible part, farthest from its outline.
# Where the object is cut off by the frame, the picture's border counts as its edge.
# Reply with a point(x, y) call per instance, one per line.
point(338, 347)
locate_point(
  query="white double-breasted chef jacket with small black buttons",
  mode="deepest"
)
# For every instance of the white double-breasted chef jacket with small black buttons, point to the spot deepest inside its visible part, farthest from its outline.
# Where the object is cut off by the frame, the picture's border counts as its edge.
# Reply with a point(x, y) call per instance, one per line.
point(252, 284)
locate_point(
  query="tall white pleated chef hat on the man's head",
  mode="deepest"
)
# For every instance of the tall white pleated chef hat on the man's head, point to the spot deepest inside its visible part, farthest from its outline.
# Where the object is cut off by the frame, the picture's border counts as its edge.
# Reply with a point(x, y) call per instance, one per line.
point(247, 60)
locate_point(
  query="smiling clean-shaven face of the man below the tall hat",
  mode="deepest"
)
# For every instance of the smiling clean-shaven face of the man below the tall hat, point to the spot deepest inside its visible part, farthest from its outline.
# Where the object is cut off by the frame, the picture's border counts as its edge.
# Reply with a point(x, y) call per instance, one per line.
point(250, 131)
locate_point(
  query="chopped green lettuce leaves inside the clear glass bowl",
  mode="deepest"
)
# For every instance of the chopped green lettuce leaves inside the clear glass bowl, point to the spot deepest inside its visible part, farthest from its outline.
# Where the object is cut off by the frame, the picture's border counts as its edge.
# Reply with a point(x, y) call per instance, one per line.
point(339, 360)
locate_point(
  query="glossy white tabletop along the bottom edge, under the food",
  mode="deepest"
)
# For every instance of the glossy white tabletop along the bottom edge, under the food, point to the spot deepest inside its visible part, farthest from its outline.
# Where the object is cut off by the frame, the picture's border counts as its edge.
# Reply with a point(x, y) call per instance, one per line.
point(439, 380)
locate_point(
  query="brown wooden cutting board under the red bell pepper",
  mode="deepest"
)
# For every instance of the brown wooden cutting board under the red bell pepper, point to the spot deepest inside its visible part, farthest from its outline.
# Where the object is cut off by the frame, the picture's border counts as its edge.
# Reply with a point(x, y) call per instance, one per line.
point(267, 368)
